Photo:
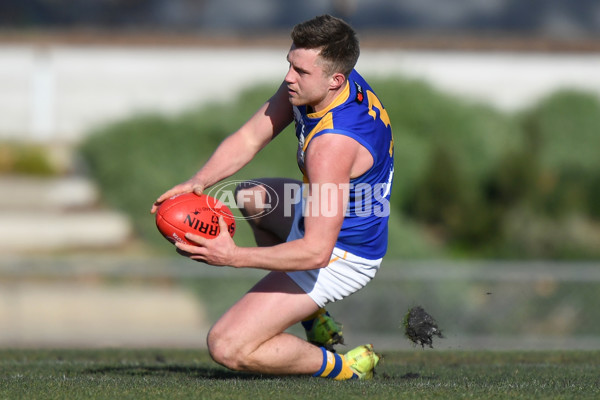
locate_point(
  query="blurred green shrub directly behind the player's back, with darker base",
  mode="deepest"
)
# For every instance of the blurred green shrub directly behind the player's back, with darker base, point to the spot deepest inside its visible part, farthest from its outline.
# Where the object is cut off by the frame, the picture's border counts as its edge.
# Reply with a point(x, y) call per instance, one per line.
point(446, 150)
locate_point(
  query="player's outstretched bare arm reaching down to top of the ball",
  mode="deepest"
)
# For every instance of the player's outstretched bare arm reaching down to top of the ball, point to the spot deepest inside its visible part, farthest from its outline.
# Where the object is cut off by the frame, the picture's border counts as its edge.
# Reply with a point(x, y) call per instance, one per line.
point(240, 147)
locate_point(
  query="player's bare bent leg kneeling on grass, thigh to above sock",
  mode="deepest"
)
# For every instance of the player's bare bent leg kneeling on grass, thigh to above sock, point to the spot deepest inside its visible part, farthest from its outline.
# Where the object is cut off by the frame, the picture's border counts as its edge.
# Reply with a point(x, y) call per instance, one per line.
point(250, 336)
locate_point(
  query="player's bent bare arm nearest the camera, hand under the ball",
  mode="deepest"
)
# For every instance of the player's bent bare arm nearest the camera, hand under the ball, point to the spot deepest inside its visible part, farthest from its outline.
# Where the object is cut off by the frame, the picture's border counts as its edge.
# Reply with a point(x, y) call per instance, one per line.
point(326, 169)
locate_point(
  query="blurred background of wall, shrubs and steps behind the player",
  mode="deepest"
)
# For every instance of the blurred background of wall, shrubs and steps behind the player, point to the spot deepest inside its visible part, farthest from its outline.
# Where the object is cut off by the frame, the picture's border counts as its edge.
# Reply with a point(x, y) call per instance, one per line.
point(495, 106)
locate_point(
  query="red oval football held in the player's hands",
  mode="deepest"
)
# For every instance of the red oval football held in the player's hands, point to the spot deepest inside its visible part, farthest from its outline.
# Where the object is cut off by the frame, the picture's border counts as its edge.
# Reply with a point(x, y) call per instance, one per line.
point(194, 214)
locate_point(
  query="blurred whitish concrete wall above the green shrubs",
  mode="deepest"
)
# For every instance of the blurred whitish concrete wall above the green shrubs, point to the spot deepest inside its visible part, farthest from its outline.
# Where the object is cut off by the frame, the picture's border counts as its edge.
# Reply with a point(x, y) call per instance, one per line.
point(58, 93)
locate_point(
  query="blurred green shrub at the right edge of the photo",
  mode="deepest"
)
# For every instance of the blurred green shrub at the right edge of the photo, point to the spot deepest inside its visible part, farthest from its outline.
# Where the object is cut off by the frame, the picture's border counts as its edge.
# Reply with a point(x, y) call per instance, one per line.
point(550, 189)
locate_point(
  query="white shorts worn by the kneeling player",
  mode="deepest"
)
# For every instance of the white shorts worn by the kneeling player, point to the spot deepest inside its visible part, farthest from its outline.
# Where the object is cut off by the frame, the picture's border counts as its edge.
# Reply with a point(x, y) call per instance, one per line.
point(345, 274)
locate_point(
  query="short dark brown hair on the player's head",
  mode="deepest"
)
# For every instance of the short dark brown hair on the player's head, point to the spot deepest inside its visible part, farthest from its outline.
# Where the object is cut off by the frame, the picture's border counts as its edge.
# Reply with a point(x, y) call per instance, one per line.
point(336, 39)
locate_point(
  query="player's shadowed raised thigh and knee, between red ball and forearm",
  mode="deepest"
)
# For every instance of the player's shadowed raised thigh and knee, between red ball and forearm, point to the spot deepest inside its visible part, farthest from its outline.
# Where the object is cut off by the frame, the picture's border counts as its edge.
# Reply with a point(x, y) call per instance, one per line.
point(268, 203)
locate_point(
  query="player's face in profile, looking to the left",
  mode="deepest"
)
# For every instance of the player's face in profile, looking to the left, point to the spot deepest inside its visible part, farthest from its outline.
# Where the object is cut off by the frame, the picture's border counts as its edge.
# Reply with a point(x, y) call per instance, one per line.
point(306, 80)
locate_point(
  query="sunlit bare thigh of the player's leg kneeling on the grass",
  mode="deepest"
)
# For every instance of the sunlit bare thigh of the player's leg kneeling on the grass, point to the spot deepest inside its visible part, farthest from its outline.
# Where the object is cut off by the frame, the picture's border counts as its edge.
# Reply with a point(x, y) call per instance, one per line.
point(269, 308)
